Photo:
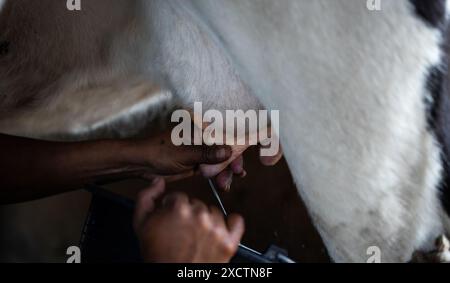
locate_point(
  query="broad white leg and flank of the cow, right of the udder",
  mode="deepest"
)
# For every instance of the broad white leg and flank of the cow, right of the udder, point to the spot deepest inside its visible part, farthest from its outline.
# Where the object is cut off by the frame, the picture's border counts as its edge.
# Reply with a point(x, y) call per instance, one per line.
point(352, 113)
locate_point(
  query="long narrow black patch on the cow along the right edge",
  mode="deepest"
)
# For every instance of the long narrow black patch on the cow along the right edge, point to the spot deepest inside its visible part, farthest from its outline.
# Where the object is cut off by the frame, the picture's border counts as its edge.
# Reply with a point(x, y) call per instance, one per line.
point(439, 123)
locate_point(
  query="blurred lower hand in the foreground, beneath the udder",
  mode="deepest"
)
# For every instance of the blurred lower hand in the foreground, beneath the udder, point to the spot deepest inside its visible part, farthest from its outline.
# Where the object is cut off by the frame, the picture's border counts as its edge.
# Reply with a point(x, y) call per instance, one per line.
point(184, 230)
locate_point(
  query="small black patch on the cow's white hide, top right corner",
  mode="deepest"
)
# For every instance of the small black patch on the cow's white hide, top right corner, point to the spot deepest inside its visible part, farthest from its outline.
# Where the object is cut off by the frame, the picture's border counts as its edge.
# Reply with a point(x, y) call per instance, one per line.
point(431, 11)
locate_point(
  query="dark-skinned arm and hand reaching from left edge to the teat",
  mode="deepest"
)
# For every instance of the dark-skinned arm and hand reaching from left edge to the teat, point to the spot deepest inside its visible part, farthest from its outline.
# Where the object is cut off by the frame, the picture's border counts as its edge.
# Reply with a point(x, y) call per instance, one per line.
point(32, 169)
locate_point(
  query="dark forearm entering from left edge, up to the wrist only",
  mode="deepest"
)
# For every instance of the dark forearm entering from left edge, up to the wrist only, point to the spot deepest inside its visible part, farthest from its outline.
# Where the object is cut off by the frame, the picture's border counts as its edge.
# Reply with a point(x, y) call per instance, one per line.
point(32, 169)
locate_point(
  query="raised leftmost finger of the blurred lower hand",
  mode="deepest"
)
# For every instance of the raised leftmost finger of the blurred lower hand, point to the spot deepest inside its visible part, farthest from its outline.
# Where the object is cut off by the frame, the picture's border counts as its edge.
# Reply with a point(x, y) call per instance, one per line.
point(146, 201)
